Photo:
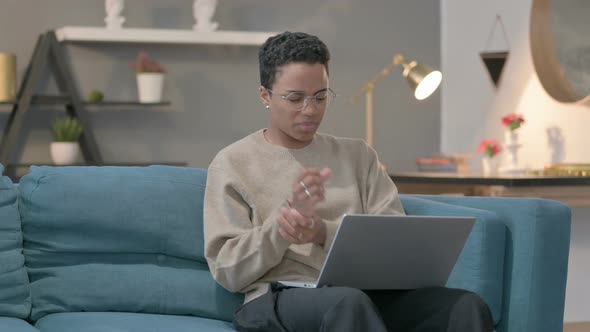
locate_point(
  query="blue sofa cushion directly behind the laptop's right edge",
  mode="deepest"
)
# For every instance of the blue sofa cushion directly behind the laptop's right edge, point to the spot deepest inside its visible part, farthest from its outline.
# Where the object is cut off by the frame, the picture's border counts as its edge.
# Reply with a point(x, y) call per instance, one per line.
point(480, 266)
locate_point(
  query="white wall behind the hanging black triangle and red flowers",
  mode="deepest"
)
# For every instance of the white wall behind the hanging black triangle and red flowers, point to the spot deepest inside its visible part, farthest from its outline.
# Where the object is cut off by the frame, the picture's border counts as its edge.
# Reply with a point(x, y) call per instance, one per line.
point(472, 109)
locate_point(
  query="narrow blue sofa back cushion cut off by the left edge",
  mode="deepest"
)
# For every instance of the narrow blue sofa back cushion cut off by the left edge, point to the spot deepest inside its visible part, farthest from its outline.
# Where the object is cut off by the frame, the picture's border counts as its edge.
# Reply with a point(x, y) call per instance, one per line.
point(14, 282)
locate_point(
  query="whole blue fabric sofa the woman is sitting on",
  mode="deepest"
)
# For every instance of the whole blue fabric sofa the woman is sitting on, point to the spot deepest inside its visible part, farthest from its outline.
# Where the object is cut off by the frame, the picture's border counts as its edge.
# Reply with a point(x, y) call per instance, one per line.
point(107, 249)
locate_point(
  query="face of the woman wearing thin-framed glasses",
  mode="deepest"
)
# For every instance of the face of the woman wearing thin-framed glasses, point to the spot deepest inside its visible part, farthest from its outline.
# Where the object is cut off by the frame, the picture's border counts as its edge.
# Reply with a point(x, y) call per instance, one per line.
point(290, 127)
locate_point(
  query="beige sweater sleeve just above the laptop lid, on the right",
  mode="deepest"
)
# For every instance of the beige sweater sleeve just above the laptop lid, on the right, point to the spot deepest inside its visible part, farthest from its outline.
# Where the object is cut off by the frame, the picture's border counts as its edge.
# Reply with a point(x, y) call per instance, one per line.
point(381, 194)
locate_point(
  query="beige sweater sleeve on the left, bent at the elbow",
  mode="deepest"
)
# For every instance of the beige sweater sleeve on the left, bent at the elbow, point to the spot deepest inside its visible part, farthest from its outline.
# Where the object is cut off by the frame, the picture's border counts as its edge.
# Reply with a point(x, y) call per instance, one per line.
point(237, 252)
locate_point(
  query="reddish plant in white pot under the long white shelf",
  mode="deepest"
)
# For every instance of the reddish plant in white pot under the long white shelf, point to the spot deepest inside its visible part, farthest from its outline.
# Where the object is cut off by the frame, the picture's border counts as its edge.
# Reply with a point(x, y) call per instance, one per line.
point(150, 78)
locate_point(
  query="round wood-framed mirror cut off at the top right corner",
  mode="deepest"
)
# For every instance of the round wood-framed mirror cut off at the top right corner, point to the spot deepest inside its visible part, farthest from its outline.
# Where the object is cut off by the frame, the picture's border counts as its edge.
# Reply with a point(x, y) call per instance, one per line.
point(560, 46)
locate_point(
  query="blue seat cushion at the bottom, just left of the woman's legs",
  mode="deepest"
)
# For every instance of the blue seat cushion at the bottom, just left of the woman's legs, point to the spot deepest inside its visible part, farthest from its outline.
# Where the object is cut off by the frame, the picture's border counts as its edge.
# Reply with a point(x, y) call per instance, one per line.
point(128, 322)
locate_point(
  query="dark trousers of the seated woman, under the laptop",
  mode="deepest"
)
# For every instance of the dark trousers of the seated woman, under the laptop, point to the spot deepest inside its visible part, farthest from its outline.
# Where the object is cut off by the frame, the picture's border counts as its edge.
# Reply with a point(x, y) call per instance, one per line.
point(345, 309)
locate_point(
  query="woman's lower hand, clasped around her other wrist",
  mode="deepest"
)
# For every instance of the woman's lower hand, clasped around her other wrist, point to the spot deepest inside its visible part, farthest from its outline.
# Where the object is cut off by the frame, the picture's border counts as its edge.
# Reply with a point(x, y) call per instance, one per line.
point(298, 229)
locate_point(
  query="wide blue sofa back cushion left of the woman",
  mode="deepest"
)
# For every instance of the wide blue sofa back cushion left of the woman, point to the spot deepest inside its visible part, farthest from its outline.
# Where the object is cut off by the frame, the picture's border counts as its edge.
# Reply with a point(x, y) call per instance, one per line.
point(126, 239)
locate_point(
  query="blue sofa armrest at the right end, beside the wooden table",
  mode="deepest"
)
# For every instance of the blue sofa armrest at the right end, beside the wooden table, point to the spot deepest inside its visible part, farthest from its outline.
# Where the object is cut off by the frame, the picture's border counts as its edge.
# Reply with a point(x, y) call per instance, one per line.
point(536, 262)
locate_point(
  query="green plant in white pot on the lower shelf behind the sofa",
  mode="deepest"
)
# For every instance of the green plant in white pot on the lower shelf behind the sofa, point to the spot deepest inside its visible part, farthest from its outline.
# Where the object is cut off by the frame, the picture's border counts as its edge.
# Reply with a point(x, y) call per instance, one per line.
point(65, 148)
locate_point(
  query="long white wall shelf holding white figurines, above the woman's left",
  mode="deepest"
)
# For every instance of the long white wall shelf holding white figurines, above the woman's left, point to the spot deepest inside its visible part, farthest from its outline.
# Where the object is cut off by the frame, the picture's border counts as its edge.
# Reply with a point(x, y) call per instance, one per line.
point(160, 36)
